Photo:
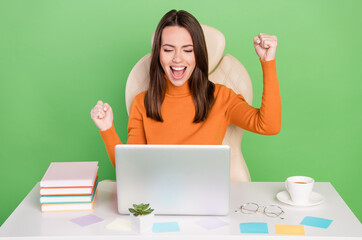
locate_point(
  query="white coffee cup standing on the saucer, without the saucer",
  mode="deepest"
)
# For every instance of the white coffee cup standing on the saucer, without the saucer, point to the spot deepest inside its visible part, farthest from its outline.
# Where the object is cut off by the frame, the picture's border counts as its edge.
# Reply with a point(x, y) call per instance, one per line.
point(299, 188)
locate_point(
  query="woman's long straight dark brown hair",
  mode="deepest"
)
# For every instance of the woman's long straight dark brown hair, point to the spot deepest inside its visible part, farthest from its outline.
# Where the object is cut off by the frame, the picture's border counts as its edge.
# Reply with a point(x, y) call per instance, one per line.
point(201, 88)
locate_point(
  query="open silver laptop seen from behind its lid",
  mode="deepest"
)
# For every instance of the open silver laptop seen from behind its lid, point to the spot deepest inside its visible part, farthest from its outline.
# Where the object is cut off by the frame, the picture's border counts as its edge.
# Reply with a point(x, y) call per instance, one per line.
point(174, 179)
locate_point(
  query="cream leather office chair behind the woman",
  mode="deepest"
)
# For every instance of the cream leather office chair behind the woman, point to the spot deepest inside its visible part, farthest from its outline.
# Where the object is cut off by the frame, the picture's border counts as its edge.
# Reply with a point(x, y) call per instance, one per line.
point(225, 70)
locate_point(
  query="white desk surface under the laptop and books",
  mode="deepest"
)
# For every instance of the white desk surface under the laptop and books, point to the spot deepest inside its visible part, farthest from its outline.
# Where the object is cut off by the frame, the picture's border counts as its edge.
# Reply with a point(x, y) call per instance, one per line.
point(28, 222)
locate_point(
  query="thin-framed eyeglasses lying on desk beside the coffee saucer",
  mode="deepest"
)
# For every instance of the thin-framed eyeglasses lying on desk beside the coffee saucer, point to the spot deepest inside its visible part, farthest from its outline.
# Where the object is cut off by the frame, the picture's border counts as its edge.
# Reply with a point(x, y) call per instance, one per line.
point(270, 210)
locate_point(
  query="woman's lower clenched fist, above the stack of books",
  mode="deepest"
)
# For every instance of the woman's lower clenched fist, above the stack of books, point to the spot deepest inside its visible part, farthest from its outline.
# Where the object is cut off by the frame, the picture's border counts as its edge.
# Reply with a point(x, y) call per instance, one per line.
point(102, 115)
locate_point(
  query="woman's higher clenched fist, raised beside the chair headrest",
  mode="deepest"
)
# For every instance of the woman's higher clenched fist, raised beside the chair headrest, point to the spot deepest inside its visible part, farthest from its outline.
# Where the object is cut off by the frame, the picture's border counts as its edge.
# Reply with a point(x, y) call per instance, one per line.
point(265, 46)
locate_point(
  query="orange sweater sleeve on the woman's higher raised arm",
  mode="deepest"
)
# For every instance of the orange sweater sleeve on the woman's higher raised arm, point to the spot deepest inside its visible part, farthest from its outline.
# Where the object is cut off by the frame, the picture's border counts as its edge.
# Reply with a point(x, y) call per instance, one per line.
point(267, 119)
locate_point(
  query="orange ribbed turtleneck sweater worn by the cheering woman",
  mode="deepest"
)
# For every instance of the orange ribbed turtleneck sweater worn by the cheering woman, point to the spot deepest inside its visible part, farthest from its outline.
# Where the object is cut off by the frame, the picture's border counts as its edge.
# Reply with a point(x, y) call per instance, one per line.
point(178, 113)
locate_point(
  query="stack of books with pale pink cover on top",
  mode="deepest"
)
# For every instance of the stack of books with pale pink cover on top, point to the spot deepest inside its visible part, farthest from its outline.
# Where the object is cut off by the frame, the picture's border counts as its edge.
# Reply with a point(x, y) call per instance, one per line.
point(69, 186)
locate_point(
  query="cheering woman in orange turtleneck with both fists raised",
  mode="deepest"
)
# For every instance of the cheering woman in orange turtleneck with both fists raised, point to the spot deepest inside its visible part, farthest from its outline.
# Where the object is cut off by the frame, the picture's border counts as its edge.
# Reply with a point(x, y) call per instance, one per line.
point(181, 106)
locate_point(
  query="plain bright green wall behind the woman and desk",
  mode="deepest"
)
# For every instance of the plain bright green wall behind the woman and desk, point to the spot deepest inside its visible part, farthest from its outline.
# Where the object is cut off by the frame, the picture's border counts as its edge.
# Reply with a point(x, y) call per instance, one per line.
point(57, 58)
